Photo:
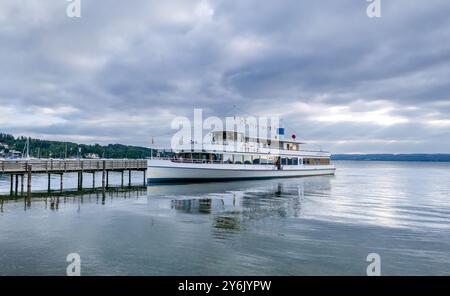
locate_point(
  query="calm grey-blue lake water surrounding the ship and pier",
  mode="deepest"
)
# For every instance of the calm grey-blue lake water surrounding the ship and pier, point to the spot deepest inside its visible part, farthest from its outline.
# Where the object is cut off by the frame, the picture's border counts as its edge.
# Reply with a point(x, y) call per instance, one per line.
point(304, 226)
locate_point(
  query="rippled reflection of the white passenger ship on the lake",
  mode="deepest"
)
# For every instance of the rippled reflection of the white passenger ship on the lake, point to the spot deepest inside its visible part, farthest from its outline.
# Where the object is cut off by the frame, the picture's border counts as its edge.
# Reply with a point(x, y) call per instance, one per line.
point(232, 209)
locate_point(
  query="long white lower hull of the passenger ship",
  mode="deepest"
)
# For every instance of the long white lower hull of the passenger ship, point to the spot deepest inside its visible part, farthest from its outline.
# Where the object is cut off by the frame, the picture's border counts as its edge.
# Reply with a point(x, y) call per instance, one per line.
point(168, 171)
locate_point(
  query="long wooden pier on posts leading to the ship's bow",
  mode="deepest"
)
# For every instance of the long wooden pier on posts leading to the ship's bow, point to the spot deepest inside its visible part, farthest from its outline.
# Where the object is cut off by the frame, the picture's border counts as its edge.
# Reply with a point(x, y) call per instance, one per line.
point(19, 169)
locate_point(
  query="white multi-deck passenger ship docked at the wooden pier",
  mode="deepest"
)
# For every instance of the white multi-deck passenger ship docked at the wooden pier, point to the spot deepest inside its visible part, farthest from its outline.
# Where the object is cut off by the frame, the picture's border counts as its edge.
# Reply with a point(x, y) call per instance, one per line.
point(231, 155)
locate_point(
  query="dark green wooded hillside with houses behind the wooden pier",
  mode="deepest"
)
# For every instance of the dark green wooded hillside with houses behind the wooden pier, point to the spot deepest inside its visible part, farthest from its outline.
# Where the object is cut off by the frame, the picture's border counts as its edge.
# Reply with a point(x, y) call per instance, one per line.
point(57, 149)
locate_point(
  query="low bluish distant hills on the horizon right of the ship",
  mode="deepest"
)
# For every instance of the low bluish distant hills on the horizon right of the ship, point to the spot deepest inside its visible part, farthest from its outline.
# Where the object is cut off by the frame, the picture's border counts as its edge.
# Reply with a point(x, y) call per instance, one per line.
point(393, 157)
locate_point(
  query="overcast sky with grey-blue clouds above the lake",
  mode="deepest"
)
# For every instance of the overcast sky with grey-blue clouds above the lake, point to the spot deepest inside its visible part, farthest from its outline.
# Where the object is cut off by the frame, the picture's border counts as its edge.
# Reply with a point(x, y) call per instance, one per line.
point(125, 69)
